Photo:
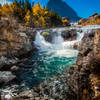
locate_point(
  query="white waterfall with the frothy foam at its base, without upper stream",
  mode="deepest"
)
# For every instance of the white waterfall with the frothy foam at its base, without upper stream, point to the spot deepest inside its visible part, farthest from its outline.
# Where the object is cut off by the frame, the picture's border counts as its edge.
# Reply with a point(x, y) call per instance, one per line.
point(58, 47)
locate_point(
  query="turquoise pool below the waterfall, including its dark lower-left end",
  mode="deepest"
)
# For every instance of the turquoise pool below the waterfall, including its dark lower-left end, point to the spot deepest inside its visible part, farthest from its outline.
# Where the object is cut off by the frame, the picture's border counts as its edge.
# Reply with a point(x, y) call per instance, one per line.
point(45, 66)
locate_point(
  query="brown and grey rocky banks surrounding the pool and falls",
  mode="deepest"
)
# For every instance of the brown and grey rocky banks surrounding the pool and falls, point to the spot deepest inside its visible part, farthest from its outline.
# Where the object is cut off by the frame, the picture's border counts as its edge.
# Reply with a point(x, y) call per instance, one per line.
point(77, 82)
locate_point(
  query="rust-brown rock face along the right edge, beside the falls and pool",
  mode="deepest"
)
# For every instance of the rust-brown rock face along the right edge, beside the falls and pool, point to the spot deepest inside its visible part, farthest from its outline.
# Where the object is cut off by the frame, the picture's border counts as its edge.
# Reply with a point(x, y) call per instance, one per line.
point(84, 78)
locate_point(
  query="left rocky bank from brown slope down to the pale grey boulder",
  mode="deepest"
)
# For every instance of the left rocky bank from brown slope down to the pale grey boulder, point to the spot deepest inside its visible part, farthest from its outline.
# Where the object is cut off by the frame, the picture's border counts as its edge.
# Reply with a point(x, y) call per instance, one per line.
point(16, 45)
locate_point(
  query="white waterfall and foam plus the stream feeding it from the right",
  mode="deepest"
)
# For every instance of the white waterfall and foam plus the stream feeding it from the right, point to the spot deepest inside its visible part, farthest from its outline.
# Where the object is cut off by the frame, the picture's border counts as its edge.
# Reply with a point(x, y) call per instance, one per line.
point(59, 46)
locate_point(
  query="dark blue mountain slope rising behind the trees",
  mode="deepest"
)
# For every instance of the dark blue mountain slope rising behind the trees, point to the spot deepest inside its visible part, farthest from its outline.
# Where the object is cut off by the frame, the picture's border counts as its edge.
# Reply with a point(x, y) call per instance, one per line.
point(63, 9)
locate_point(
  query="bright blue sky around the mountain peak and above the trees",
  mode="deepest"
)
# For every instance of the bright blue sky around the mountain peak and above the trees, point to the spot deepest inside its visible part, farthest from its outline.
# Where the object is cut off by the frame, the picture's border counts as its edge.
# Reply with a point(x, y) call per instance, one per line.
point(84, 8)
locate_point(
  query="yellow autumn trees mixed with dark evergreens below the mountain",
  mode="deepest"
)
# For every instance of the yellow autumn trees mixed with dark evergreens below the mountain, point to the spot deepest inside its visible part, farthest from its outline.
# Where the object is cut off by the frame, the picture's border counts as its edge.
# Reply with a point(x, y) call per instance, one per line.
point(32, 15)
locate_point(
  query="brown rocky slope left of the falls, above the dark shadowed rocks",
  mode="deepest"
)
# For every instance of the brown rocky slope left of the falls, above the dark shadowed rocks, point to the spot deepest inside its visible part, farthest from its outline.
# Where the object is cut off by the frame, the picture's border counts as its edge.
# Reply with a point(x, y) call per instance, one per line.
point(13, 40)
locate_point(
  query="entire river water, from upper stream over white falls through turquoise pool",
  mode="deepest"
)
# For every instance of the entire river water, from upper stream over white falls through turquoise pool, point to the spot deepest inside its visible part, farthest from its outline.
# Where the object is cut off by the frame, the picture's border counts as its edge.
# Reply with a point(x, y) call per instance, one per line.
point(53, 57)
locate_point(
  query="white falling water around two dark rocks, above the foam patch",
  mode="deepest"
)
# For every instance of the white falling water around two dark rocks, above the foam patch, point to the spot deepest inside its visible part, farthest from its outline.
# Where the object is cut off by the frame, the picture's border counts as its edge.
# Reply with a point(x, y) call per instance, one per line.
point(58, 42)
